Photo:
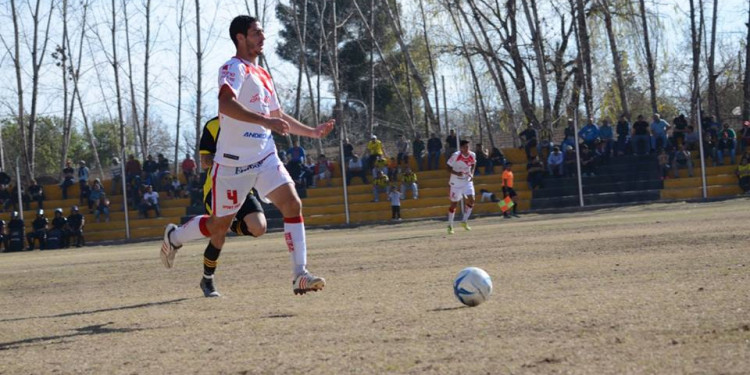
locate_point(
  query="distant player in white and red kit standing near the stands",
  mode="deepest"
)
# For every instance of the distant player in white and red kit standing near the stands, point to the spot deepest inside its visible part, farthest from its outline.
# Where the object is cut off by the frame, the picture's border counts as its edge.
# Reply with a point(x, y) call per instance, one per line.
point(461, 165)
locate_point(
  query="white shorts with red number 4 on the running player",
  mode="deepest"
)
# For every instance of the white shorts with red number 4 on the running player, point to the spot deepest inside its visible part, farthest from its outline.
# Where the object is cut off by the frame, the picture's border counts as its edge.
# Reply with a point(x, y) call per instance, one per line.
point(232, 184)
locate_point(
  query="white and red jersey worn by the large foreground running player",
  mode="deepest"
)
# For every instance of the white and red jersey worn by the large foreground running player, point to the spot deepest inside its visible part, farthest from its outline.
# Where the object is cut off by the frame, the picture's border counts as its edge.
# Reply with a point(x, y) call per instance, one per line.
point(243, 143)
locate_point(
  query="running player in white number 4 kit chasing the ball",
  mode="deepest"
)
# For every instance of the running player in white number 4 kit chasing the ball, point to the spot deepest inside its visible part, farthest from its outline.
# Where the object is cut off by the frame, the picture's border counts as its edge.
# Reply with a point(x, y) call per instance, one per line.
point(246, 158)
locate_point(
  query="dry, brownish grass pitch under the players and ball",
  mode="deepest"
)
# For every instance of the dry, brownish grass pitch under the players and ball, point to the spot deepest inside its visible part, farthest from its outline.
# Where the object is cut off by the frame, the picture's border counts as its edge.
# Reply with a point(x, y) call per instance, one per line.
point(658, 289)
